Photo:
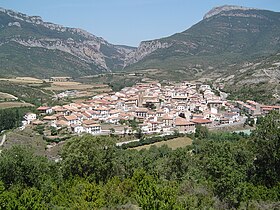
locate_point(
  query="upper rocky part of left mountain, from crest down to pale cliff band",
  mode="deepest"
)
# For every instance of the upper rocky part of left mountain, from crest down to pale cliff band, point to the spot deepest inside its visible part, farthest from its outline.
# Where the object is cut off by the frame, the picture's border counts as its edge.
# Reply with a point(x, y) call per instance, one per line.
point(77, 42)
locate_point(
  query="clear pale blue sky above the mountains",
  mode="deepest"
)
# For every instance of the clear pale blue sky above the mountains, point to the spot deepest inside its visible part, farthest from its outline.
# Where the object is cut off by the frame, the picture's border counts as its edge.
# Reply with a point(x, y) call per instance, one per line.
point(128, 22)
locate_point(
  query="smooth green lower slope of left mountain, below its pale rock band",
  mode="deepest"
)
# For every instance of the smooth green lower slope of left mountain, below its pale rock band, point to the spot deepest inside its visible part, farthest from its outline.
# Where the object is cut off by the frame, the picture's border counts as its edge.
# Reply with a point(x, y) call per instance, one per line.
point(17, 60)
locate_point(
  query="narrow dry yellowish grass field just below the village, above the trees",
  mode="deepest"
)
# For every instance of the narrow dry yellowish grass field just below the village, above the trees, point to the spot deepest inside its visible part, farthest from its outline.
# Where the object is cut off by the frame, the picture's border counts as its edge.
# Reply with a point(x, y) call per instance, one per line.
point(173, 143)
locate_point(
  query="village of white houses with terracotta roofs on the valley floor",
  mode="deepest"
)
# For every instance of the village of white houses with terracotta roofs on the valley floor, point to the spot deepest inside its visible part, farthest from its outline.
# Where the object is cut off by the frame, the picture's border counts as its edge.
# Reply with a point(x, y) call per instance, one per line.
point(153, 107)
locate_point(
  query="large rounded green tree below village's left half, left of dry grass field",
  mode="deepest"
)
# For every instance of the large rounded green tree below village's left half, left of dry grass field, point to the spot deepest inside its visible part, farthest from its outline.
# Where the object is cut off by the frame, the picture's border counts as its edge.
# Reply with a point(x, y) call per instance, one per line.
point(89, 156)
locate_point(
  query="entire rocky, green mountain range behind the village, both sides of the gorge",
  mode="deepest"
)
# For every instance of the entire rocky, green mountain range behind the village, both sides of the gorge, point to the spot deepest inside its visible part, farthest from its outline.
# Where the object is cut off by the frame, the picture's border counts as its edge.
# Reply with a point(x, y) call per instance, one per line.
point(225, 36)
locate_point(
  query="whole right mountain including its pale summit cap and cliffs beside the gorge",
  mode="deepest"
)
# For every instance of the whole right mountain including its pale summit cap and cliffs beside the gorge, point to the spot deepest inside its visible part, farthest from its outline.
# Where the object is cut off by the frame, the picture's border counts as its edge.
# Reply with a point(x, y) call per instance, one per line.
point(233, 32)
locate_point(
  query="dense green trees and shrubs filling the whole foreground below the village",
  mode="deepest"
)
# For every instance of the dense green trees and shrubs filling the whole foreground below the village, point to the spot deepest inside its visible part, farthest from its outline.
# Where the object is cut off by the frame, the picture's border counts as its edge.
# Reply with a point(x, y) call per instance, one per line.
point(219, 171)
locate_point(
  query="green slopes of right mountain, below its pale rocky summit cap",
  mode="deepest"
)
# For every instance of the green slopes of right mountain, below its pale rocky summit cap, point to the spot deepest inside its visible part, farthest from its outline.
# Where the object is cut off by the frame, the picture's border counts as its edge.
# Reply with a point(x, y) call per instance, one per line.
point(218, 41)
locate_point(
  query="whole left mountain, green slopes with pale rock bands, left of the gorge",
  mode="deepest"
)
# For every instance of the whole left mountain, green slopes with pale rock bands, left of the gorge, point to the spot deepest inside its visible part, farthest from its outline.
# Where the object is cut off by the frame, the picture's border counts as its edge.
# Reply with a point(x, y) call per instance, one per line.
point(31, 47)
